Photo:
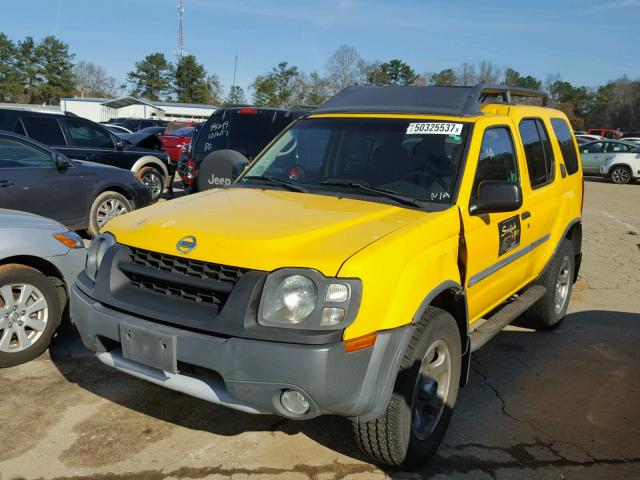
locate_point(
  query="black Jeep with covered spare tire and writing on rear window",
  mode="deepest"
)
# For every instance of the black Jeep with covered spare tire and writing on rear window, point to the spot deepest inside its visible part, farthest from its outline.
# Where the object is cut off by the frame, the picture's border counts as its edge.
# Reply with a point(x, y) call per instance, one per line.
point(222, 145)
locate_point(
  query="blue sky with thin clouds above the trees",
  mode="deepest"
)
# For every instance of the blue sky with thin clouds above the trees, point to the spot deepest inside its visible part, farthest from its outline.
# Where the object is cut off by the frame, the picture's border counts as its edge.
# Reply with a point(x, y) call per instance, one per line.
point(587, 42)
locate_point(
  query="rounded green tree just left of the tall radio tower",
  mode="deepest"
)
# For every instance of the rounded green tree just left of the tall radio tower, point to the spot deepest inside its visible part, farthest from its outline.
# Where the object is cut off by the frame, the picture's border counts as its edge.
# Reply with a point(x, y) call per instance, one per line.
point(152, 77)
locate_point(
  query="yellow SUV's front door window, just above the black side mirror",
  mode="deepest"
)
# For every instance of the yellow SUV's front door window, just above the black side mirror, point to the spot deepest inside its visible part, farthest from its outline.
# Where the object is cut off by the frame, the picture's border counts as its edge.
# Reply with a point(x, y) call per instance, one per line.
point(497, 160)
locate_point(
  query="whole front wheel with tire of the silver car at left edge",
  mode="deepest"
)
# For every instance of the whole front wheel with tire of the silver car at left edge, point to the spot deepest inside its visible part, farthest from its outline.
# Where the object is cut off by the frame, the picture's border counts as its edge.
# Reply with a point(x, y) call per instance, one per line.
point(29, 314)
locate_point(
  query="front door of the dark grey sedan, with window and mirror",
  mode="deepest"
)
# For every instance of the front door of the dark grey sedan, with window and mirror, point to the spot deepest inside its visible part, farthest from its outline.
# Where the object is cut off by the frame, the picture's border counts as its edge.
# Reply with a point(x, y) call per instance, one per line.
point(30, 181)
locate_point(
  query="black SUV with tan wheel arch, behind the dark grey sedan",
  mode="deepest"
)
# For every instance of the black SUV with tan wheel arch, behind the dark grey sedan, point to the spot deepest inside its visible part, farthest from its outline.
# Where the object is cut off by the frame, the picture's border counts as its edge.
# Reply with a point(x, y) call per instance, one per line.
point(82, 139)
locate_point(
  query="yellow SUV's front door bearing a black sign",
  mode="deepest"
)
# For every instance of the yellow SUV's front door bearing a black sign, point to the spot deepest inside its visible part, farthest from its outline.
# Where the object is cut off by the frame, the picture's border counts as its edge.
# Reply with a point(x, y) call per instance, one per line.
point(493, 254)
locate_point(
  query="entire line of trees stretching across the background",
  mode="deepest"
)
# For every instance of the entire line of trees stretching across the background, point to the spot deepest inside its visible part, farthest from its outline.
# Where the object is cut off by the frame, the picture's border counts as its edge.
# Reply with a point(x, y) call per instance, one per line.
point(43, 71)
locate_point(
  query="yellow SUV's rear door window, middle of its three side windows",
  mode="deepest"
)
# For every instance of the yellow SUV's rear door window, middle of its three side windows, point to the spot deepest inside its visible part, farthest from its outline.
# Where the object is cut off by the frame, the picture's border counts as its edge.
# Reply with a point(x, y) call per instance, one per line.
point(537, 150)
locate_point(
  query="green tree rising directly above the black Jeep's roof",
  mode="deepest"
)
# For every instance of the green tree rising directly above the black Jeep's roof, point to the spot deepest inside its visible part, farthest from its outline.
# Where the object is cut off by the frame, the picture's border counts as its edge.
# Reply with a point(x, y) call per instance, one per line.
point(277, 88)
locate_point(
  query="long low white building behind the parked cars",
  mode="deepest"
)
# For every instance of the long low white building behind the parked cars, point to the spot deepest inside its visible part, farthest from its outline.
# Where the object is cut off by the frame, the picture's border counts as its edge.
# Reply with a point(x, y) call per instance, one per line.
point(103, 109)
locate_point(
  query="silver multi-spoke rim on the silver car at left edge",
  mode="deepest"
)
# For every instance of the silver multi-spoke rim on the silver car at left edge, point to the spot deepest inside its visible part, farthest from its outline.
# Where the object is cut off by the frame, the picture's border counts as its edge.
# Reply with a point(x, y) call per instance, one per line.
point(24, 313)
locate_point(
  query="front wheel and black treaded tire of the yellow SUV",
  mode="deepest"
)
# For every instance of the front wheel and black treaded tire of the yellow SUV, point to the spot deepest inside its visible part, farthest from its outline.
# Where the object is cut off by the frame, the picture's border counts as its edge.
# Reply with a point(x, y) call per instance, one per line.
point(395, 439)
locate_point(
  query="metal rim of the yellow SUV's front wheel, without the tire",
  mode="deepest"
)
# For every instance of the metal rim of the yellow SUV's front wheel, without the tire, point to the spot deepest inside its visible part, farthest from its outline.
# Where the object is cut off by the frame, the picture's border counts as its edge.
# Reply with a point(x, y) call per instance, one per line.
point(431, 390)
